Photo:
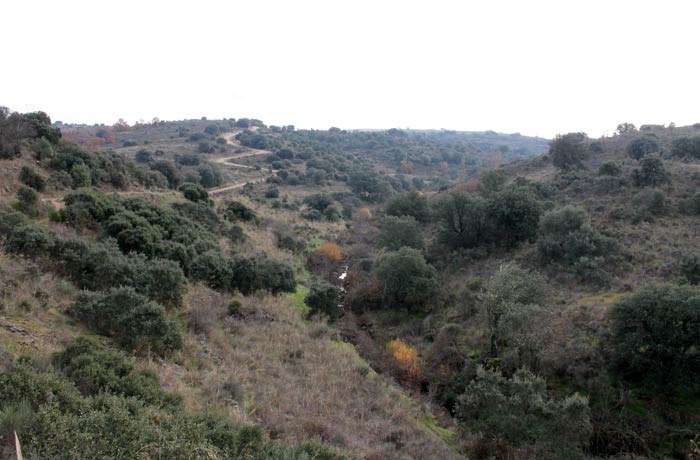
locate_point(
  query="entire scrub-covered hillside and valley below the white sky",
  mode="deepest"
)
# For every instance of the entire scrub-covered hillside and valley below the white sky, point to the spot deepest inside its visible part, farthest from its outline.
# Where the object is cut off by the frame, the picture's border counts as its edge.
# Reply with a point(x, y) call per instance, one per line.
point(281, 293)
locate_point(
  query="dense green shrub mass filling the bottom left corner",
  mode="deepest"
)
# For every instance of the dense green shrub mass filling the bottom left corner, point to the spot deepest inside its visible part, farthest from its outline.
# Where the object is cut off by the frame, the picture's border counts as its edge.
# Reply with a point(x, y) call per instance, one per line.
point(119, 423)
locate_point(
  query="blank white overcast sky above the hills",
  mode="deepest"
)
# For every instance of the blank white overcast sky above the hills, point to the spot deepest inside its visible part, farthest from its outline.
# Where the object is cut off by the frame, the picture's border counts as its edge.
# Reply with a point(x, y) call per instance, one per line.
point(533, 67)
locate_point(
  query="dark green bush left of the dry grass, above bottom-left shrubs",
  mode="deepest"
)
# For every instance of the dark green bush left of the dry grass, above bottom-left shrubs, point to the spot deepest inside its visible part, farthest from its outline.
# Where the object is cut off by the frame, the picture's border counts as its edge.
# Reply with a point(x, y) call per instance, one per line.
point(129, 318)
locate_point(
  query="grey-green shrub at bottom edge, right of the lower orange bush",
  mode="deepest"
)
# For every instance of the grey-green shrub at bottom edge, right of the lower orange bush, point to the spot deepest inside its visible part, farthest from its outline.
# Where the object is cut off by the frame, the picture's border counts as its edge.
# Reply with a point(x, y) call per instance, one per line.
point(519, 411)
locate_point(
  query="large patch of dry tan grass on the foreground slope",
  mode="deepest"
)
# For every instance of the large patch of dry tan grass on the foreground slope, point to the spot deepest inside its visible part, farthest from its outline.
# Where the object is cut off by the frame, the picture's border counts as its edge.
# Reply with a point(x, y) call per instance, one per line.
point(272, 367)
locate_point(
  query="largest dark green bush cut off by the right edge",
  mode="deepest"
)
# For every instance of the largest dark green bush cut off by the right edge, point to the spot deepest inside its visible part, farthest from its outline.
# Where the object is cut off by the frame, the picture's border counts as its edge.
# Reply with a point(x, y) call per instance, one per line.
point(655, 334)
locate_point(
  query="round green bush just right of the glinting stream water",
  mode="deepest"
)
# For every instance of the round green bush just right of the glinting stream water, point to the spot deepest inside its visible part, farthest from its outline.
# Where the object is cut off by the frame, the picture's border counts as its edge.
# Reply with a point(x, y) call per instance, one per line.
point(408, 280)
